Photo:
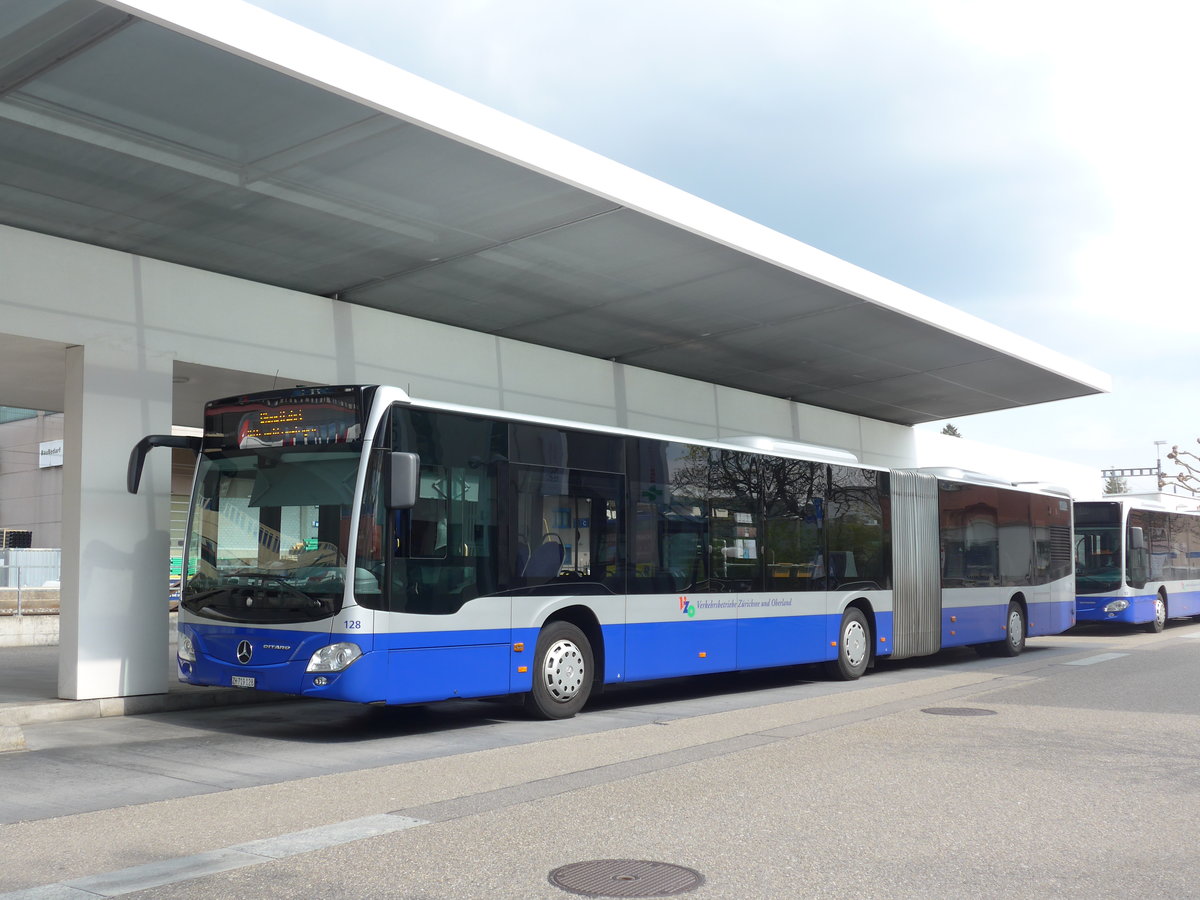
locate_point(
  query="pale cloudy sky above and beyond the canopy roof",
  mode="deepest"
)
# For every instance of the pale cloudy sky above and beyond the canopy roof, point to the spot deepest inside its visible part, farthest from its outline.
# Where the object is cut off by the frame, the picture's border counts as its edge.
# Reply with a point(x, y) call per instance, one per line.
point(1033, 163)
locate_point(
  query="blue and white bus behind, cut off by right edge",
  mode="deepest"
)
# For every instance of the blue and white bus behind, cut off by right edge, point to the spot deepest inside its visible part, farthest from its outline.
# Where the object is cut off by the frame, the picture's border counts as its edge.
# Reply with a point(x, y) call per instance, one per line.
point(1137, 562)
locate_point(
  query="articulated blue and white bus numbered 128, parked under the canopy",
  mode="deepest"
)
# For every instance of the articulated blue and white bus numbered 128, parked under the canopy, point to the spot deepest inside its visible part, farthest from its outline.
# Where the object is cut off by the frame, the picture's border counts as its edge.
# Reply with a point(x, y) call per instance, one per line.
point(350, 543)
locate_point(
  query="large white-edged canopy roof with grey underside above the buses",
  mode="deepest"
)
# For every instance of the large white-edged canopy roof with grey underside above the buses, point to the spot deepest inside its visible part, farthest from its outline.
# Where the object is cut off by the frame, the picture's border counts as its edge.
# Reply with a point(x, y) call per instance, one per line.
point(214, 135)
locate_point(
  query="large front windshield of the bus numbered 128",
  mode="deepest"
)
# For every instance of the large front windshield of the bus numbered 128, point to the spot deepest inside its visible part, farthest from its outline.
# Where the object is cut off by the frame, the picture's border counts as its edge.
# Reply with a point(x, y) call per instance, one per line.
point(269, 535)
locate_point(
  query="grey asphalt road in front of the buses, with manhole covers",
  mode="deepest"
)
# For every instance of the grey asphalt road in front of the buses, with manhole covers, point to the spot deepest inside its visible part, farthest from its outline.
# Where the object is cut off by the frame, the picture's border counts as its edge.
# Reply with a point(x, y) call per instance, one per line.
point(1071, 772)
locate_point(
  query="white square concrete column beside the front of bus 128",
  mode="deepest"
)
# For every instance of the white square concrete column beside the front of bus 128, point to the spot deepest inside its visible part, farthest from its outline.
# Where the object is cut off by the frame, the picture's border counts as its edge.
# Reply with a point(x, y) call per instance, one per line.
point(116, 547)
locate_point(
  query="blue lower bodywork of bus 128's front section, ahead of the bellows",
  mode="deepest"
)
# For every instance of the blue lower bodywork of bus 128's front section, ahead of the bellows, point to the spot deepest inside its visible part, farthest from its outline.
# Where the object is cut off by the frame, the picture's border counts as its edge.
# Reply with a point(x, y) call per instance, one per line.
point(418, 668)
